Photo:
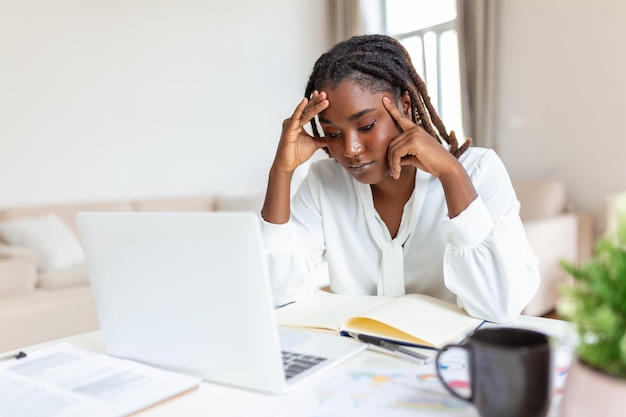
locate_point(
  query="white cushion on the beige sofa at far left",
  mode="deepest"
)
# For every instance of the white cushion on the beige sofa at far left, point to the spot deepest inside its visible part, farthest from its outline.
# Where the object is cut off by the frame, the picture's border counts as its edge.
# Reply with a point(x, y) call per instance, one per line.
point(53, 243)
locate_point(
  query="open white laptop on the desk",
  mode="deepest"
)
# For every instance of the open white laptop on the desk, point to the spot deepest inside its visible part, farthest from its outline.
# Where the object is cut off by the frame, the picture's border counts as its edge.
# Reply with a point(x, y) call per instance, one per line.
point(190, 292)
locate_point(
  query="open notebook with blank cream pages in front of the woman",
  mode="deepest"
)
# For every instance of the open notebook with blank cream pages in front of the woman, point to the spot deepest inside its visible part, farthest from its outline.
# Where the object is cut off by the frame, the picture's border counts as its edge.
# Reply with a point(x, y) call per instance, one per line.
point(413, 319)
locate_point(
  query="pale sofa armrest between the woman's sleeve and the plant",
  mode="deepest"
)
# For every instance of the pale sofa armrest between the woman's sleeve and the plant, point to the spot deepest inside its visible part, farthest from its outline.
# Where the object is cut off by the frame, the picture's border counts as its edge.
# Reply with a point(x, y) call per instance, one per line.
point(552, 239)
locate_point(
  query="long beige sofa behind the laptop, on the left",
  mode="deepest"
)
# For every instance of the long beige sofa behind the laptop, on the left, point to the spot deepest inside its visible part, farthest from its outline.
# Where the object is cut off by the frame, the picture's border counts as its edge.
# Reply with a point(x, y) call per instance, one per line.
point(41, 302)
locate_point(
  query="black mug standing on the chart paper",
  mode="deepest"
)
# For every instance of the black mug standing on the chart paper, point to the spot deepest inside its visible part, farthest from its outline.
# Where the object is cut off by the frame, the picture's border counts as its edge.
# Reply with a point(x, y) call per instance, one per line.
point(510, 372)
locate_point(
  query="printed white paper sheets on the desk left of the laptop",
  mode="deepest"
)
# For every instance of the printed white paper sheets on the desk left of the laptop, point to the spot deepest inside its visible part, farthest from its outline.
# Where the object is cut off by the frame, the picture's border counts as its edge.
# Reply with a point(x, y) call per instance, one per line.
point(64, 381)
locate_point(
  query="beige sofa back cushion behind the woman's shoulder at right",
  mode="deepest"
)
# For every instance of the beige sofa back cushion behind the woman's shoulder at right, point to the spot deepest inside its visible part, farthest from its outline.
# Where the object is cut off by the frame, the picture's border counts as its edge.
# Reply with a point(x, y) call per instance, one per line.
point(540, 198)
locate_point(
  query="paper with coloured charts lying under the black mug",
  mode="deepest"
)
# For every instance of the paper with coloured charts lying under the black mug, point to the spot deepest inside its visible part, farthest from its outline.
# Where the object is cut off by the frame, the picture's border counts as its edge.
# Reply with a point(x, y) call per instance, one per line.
point(366, 390)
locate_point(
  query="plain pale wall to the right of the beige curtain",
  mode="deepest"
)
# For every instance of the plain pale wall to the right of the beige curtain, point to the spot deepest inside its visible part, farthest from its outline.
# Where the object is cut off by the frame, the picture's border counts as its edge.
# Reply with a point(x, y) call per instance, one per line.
point(562, 95)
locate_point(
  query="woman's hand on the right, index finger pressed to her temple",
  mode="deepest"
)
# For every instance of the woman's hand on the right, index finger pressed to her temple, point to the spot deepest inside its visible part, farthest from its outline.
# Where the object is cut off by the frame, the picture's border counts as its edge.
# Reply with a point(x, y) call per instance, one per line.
point(415, 146)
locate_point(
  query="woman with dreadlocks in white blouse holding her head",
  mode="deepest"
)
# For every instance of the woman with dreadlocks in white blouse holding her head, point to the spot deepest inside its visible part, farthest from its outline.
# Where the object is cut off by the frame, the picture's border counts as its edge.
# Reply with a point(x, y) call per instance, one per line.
point(399, 207)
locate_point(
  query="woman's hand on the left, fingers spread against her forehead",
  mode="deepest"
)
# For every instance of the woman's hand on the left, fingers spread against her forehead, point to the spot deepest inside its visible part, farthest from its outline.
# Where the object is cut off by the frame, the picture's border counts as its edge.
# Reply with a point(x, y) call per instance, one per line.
point(296, 146)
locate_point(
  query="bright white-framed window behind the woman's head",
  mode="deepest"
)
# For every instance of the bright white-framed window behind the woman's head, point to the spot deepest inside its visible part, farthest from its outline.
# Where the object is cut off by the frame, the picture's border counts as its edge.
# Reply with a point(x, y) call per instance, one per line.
point(427, 30)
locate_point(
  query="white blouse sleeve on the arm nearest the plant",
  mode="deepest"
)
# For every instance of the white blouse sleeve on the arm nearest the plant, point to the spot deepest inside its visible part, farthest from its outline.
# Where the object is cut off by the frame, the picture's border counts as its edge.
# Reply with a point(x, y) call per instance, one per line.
point(488, 262)
